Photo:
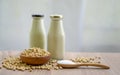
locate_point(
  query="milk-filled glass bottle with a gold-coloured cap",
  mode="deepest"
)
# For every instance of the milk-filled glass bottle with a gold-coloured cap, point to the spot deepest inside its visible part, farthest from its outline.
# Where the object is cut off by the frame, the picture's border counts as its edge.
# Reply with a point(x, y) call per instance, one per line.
point(56, 37)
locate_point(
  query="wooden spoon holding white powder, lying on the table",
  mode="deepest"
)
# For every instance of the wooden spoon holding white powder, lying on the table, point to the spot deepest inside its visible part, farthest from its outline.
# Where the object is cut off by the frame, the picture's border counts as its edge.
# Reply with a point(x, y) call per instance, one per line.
point(70, 64)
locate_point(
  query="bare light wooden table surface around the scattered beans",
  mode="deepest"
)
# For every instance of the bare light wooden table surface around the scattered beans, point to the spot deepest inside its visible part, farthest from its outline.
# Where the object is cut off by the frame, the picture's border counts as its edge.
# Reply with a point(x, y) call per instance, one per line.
point(110, 59)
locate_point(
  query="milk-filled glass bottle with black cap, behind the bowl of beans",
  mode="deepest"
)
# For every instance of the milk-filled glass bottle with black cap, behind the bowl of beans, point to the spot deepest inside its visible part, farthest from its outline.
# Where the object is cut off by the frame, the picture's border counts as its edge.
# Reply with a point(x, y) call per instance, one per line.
point(37, 34)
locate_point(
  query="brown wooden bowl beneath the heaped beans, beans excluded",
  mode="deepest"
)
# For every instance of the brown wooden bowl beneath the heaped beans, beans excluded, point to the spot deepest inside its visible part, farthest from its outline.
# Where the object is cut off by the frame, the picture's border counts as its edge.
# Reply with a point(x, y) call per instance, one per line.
point(35, 60)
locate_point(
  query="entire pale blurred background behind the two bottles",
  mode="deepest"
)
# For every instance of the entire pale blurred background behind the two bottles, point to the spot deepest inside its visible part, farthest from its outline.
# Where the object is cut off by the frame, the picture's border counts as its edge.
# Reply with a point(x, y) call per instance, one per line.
point(90, 25)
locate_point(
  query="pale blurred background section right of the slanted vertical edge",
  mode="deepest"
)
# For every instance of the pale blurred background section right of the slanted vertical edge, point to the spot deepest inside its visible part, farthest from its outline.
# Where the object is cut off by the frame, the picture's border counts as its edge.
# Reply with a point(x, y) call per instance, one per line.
point(102, 26)
